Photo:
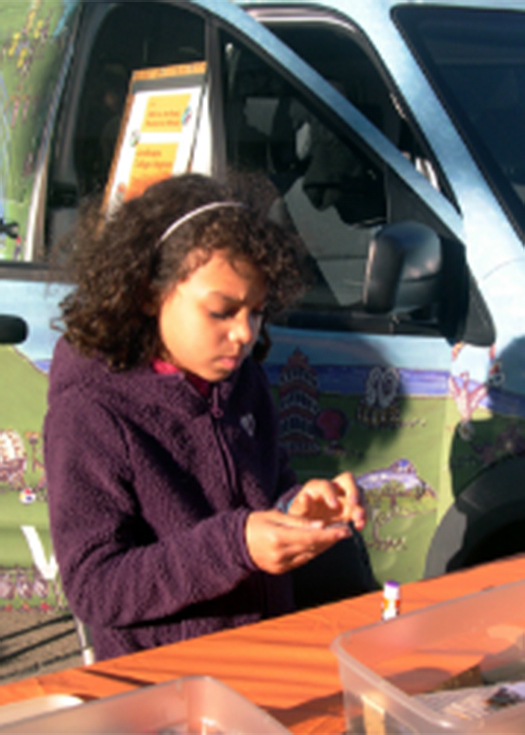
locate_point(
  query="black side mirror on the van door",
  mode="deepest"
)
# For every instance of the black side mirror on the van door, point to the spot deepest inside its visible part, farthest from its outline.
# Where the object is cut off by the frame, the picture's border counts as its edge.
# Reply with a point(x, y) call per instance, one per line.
point(403, 269)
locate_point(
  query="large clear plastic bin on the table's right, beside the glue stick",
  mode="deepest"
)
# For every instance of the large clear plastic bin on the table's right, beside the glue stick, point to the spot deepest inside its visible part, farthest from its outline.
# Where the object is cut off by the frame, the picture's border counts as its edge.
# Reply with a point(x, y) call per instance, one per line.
point(448, 668)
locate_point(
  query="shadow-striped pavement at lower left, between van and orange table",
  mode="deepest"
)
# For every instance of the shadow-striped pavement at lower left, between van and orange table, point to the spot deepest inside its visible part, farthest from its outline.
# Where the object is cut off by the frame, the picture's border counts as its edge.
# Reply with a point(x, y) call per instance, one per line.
point(36, 642)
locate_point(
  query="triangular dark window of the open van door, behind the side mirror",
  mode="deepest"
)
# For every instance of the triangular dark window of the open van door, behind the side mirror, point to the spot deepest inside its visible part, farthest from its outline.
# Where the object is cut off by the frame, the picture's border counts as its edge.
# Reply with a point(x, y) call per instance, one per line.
point(335, 195)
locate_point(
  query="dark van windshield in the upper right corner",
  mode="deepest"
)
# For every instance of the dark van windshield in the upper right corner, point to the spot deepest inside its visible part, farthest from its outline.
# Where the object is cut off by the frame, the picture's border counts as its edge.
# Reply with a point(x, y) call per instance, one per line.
point(476, 61)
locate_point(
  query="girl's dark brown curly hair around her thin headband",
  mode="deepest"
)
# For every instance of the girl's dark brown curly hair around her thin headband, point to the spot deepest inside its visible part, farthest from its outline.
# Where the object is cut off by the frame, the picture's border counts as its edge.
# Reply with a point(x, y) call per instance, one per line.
point(122, 272)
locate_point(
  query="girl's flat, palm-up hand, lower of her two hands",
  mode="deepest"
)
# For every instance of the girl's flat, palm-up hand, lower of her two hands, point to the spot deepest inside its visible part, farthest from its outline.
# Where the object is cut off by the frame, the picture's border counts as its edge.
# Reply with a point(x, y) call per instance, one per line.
point(278, 542)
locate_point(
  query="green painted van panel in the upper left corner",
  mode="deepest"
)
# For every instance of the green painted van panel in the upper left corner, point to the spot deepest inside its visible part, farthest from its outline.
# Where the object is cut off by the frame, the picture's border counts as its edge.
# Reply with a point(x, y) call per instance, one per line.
point(34, 38)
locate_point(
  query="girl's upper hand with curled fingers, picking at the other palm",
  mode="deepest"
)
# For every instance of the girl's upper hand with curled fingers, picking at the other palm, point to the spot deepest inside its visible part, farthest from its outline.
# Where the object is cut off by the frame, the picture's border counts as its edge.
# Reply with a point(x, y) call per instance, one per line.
point(331, 501)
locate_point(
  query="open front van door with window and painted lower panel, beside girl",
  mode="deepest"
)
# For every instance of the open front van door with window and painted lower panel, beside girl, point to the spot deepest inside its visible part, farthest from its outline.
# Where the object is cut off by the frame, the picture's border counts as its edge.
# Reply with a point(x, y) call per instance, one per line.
point(356, 391)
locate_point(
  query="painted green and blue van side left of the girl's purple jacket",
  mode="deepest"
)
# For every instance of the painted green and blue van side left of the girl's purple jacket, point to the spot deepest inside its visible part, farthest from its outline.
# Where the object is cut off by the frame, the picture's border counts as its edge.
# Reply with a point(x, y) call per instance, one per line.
point(28, 570)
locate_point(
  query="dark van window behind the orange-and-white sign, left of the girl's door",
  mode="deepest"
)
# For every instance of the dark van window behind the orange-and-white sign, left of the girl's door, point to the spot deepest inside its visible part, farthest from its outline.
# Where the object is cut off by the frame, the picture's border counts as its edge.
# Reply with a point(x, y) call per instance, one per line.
point(118, 38)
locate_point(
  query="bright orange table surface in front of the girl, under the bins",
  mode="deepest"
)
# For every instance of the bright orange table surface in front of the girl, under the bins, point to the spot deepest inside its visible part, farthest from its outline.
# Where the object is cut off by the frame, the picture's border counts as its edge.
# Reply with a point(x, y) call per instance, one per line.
point(283, 665)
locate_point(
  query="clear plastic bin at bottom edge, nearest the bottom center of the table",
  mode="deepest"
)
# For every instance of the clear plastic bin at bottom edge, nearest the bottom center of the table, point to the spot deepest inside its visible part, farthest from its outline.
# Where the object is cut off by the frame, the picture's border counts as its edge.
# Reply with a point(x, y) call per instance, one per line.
point(191, 705)
